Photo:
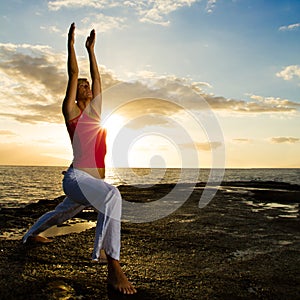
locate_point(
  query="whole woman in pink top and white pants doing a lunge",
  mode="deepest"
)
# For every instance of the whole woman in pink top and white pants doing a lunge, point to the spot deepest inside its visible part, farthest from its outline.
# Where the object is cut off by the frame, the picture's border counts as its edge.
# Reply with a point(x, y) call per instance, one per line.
point(83, 182)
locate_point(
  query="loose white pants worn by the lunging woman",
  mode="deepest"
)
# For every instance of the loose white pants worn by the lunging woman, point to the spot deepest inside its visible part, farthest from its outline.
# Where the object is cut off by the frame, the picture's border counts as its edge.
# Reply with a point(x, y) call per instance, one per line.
point(84, 190)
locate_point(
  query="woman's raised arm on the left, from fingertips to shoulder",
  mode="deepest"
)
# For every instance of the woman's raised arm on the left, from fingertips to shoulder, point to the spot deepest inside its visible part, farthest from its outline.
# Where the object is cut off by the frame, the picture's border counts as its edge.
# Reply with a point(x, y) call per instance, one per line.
point(69, 107)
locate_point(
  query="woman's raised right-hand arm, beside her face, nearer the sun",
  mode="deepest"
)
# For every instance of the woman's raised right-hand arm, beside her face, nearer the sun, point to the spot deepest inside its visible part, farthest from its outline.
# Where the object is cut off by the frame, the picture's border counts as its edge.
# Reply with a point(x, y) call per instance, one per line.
point(95, 75)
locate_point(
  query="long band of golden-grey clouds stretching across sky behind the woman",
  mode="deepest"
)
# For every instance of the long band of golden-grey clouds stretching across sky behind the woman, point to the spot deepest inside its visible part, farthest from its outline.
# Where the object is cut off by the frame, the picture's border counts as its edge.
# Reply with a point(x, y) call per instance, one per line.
point(34, 78)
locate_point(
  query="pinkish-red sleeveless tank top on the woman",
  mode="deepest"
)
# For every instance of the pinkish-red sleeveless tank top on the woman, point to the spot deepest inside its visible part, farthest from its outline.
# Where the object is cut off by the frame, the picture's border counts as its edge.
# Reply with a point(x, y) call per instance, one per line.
point(88, 141)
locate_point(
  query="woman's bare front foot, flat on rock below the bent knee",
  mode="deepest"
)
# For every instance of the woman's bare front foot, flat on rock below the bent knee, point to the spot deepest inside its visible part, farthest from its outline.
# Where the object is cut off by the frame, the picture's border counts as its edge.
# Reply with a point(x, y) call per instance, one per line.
point(117, 279)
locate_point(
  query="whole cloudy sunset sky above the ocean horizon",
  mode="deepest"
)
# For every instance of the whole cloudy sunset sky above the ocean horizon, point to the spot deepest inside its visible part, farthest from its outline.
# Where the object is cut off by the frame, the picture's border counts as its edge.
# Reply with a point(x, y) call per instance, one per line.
point(188, 83)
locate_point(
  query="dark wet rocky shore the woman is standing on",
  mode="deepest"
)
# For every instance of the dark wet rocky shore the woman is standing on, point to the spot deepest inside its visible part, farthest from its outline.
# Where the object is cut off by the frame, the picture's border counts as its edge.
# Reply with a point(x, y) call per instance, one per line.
point(245, 244)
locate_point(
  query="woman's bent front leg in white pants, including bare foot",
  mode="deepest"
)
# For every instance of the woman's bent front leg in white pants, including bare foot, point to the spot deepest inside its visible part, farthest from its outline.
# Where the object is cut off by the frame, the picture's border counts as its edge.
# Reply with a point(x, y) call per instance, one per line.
point(107, 200)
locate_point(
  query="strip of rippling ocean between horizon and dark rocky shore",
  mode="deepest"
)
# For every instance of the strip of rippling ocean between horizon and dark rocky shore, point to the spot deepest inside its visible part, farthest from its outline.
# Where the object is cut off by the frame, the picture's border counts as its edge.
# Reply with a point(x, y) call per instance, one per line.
point(26, 184)
